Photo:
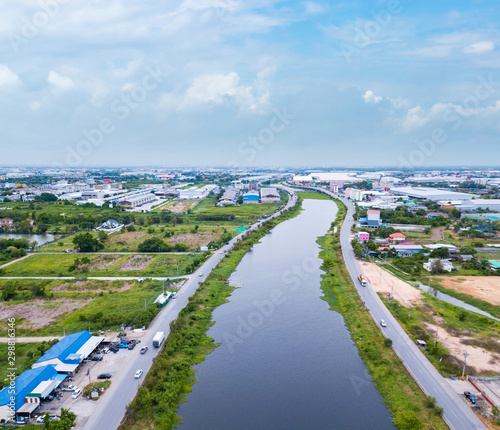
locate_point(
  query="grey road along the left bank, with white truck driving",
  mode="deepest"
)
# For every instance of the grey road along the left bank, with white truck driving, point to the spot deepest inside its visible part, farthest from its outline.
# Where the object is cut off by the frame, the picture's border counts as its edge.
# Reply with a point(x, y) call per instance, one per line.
point(112, 406)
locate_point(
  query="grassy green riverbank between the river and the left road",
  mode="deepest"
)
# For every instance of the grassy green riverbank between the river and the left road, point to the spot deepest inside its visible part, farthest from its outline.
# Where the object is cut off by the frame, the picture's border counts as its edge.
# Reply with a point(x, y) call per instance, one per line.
point(171, 377)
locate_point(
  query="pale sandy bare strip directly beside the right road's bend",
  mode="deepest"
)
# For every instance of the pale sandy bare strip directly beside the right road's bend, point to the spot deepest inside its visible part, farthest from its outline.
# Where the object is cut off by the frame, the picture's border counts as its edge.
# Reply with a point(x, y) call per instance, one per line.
point(385, 283)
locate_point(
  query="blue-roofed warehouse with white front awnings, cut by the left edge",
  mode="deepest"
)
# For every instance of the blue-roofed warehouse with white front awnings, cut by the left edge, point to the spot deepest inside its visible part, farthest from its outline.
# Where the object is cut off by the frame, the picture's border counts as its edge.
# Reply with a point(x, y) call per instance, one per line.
point(23, 396)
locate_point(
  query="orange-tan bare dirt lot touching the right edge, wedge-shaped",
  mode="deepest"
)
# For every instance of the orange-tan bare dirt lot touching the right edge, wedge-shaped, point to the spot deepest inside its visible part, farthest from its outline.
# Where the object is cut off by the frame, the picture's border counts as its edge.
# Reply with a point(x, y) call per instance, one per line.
point(486, 288)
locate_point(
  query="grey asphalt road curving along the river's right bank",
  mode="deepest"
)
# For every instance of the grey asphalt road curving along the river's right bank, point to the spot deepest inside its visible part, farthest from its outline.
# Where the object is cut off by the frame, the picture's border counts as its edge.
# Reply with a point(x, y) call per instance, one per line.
point(457, 414)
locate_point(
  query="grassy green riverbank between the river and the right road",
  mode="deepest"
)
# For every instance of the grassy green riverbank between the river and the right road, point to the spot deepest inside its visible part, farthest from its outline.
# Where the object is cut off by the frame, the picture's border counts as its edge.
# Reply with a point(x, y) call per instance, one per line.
point(409, 406)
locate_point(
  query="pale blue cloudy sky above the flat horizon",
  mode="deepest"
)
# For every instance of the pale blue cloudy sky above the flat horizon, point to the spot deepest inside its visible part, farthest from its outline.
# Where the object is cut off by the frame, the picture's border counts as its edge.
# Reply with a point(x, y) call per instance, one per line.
point(229, 83)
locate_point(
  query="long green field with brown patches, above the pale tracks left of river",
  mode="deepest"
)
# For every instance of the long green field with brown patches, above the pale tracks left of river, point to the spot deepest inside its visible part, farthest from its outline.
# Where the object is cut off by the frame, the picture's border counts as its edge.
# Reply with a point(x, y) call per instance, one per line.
point(142, 265)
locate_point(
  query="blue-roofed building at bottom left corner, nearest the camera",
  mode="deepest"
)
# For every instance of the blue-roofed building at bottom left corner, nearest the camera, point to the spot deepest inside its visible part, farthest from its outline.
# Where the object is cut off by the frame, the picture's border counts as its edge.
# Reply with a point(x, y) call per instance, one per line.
point(23, 385)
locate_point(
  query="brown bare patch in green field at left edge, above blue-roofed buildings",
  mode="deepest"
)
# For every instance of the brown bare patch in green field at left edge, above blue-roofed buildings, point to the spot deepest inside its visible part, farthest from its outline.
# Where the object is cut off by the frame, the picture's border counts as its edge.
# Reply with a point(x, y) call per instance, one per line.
point(40, 313)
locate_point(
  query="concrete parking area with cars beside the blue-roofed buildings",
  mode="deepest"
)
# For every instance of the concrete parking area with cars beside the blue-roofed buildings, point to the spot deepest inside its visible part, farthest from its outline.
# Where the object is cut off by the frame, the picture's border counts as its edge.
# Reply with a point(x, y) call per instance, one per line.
point(88, 372)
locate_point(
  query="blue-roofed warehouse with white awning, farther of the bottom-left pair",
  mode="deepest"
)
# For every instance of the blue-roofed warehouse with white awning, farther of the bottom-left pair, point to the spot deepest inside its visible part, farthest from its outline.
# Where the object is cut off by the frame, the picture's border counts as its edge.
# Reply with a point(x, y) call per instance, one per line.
point(69, 352)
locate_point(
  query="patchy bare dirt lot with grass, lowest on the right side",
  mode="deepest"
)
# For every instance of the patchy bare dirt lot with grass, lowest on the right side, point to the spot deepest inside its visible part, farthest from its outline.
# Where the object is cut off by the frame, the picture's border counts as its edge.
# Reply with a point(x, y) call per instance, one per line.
point(481, 359)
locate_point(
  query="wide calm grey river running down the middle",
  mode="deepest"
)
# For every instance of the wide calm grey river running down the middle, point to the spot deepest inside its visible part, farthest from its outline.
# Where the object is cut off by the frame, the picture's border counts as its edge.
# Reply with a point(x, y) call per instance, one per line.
point(285, 361)
